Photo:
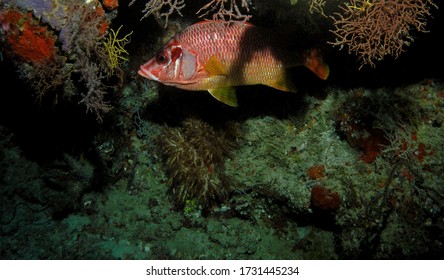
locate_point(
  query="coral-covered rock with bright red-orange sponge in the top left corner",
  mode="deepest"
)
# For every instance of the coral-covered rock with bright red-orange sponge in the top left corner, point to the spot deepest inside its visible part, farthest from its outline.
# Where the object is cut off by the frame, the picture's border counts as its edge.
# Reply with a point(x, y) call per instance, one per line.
point(76, 49)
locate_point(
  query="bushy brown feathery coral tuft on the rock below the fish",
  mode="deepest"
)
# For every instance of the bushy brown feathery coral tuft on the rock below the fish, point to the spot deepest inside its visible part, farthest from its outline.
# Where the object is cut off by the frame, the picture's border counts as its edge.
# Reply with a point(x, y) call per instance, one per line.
point(193, 157)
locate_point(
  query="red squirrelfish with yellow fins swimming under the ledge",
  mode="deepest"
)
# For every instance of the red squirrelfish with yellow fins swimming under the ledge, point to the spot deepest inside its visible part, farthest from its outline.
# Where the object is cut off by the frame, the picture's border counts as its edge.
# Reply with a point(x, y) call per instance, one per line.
point(217, 56)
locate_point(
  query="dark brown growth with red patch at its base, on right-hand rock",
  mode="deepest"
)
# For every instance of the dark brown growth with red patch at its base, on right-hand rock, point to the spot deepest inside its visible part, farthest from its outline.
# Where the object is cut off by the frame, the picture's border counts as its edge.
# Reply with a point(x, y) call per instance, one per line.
point(367, 118)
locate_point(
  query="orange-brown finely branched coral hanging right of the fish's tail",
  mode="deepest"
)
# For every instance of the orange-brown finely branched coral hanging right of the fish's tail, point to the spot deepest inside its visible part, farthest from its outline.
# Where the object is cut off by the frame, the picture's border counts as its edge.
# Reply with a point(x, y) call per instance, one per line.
point(373, 29)
